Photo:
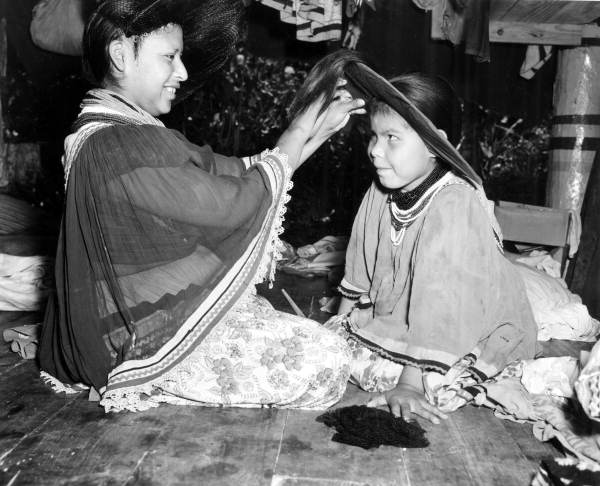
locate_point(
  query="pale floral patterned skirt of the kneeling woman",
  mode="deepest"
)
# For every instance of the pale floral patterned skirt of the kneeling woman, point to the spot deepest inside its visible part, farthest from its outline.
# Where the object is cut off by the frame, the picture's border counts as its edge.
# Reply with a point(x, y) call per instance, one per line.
point(258, 356)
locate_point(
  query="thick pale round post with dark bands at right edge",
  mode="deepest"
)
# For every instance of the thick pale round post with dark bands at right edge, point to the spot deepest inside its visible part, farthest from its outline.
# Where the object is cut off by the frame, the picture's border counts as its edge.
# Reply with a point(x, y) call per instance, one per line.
point(576, 126)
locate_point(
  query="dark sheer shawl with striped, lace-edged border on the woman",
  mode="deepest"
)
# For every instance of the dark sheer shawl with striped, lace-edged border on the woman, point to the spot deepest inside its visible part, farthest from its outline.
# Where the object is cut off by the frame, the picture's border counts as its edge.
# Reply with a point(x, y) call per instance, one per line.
point(160, 238)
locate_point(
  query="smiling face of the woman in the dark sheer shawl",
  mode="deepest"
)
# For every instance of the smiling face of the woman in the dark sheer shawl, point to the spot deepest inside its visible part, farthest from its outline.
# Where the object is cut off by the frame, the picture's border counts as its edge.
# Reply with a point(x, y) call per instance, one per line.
point(151, 78)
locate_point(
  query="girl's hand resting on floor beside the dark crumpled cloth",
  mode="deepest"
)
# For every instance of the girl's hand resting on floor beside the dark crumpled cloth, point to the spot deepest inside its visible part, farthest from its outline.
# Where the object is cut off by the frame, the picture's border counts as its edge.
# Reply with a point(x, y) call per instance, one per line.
point(406, 401)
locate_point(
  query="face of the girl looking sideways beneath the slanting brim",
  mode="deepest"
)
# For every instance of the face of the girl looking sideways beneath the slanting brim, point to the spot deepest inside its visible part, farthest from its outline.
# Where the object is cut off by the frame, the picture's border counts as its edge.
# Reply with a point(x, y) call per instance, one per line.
point(398, 153)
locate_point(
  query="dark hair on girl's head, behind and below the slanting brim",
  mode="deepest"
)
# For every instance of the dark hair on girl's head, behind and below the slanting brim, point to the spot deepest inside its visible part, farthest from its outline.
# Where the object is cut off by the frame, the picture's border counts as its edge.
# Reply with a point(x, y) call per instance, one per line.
point(433, 96)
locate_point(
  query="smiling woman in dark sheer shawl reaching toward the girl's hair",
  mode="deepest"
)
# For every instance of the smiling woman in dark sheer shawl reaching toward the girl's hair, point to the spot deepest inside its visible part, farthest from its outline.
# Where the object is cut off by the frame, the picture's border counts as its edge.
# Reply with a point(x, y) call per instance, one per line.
point(162, 240)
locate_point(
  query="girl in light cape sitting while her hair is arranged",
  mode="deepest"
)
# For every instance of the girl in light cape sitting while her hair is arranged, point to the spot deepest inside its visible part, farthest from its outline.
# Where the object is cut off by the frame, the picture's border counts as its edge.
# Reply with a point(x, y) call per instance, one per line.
point(430, 302)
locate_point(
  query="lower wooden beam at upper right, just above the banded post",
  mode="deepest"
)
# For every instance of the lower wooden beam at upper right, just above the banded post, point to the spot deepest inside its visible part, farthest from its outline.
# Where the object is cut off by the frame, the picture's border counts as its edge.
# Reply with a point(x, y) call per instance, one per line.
point(533, 33)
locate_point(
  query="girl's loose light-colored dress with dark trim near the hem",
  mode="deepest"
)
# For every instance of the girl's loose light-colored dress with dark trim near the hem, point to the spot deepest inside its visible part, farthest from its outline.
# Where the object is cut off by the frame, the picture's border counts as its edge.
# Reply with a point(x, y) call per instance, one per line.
point(444, 296)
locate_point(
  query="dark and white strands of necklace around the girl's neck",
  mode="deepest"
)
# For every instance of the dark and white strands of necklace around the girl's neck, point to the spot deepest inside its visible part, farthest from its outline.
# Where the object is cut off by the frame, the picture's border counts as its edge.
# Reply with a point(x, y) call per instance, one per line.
point(406, 207)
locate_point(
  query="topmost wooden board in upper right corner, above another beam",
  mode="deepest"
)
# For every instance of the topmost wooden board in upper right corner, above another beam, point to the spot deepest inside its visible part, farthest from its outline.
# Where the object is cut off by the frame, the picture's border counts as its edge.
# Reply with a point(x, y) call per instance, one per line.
point(545, 11)
